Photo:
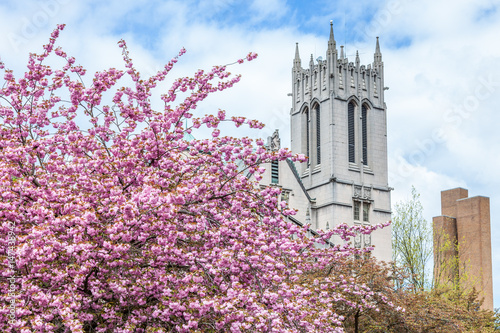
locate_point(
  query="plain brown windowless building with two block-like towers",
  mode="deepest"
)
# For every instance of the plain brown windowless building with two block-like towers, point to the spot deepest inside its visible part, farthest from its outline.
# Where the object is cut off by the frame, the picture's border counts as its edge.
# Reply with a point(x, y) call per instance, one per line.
point(462, 244)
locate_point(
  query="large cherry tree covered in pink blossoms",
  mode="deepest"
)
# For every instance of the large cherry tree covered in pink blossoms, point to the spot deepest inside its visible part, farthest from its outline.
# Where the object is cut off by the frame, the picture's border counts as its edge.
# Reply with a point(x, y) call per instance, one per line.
point(113, 222)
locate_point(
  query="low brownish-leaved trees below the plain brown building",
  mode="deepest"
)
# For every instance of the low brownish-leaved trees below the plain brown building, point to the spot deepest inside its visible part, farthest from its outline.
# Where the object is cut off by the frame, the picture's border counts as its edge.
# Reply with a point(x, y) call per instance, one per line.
point(404, 310)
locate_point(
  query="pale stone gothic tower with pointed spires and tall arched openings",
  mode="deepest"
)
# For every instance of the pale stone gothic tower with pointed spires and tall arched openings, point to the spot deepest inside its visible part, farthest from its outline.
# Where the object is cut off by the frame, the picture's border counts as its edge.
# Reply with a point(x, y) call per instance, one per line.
point(338, 119)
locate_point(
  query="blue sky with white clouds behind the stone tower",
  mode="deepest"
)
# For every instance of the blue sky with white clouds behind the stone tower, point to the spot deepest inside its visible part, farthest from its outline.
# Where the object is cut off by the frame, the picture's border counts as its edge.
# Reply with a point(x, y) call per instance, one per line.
point(441, 65)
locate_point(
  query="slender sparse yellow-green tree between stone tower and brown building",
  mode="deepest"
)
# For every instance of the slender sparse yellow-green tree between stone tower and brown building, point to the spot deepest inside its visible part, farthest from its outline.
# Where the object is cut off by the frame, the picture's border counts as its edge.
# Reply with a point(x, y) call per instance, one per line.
point(411, 242)
